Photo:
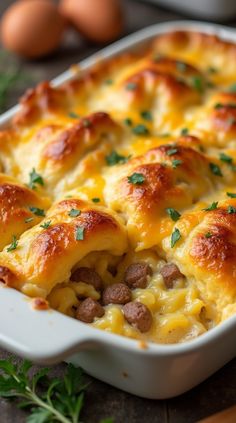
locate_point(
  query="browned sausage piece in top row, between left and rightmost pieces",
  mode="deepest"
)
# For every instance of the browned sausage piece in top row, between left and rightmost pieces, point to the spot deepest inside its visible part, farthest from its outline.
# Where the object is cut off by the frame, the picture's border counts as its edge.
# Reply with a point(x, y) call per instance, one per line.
point(136, 275)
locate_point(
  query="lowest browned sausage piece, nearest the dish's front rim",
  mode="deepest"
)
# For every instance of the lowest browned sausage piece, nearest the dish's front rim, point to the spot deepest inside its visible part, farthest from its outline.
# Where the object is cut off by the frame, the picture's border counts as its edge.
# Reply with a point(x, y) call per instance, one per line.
point(138, 315)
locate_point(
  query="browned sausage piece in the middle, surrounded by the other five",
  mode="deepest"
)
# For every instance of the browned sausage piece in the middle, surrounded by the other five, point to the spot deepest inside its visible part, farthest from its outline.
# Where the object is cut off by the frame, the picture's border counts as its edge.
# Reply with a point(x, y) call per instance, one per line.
point(118, 293)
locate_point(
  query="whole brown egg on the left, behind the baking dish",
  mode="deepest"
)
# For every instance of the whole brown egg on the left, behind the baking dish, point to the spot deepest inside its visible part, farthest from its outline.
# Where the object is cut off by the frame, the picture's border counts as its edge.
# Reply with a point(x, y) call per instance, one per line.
point(31, 28)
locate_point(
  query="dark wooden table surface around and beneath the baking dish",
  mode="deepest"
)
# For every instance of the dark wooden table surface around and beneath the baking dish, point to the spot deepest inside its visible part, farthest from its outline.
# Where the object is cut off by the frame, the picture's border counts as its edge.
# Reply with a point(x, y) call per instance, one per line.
point(102, 400)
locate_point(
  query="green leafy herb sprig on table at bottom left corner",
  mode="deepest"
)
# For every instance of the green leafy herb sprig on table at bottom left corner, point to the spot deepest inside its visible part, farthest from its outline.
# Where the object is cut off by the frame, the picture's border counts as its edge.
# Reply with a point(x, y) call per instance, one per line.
point(48, 399)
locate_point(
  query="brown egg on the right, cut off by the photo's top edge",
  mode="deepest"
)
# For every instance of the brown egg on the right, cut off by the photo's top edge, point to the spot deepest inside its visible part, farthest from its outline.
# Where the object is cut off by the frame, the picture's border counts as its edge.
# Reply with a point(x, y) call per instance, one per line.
point(98, 20)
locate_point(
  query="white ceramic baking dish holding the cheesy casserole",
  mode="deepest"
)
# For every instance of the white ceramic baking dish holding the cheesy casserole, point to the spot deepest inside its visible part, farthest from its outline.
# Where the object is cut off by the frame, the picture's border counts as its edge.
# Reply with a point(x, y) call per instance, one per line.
point(151, 371)
